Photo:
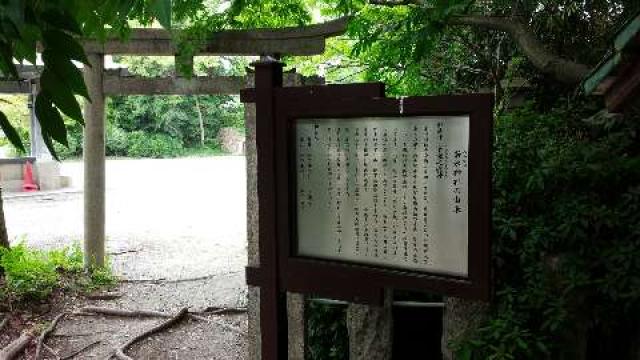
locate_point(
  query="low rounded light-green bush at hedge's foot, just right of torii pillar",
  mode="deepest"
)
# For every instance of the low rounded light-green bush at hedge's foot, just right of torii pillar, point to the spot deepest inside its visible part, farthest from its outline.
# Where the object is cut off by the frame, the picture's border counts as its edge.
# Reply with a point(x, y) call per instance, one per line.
point(142, 144)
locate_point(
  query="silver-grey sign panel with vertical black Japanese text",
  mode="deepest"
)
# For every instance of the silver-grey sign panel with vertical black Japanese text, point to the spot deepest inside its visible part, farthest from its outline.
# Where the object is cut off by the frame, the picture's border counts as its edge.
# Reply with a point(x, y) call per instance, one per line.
point(390, 192)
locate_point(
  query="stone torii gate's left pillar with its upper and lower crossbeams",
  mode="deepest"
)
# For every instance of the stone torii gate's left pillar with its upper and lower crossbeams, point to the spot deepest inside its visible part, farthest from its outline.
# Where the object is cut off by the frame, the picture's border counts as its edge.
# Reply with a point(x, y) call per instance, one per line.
point(309, 40)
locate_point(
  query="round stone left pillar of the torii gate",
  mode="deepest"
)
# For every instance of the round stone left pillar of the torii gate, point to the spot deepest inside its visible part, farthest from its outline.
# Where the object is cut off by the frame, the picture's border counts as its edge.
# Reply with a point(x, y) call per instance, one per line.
point(94, 164)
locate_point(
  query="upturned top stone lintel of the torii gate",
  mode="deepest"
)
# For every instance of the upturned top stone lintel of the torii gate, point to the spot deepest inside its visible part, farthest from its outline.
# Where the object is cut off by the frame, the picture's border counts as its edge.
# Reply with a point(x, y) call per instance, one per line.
point(305, 40)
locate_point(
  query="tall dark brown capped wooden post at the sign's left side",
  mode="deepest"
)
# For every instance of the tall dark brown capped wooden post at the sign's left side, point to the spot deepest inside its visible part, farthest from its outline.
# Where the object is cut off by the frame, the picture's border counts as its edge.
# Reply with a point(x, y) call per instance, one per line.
point(273, 302)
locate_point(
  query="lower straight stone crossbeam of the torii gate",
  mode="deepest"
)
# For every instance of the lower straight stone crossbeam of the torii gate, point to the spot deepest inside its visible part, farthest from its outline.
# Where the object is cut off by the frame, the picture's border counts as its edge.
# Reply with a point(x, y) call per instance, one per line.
point(134, 85)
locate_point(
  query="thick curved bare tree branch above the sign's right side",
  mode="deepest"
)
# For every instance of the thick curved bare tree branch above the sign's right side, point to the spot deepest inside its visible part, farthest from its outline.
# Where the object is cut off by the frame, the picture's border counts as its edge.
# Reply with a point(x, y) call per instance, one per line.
point(563, 70)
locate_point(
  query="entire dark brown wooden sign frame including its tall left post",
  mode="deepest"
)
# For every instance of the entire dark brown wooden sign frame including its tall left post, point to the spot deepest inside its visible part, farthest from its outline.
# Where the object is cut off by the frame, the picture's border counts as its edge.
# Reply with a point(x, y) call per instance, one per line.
point(280, 269)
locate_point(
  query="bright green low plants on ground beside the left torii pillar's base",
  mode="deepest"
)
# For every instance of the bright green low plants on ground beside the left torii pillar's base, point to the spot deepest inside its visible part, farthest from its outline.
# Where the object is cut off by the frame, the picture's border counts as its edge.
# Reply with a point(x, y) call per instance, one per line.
point(32, 275)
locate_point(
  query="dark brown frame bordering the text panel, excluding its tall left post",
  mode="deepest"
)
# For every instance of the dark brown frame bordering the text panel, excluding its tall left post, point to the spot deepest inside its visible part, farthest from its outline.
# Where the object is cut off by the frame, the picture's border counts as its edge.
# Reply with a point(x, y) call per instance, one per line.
point(364, 283)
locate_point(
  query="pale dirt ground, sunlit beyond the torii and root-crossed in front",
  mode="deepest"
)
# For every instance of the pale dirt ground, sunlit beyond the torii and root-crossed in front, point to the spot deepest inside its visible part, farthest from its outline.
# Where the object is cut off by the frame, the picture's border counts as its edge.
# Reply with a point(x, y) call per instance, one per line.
point(176, 237)
